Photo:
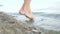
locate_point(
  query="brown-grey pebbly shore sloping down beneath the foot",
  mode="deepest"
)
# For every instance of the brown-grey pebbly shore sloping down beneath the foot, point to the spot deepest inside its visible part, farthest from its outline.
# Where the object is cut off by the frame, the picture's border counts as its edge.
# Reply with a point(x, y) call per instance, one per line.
point(9, 25)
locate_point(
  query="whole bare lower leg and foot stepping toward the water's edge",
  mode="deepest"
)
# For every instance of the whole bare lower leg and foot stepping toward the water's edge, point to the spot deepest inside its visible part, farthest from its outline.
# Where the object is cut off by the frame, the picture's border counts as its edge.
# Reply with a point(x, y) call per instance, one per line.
point(25, 10)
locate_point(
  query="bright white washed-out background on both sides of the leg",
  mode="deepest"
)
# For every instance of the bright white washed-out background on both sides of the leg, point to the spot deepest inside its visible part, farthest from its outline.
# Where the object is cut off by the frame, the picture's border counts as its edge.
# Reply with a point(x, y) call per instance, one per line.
point(47, 6)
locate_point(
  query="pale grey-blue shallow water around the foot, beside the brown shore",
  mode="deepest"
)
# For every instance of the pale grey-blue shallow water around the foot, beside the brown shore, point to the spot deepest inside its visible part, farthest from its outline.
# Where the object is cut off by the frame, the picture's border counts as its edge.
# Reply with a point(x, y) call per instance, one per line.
point(43, 22)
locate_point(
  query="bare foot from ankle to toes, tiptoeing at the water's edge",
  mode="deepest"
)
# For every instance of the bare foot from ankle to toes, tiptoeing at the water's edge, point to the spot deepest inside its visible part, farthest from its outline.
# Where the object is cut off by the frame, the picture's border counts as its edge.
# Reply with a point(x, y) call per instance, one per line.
point(27, 12)
